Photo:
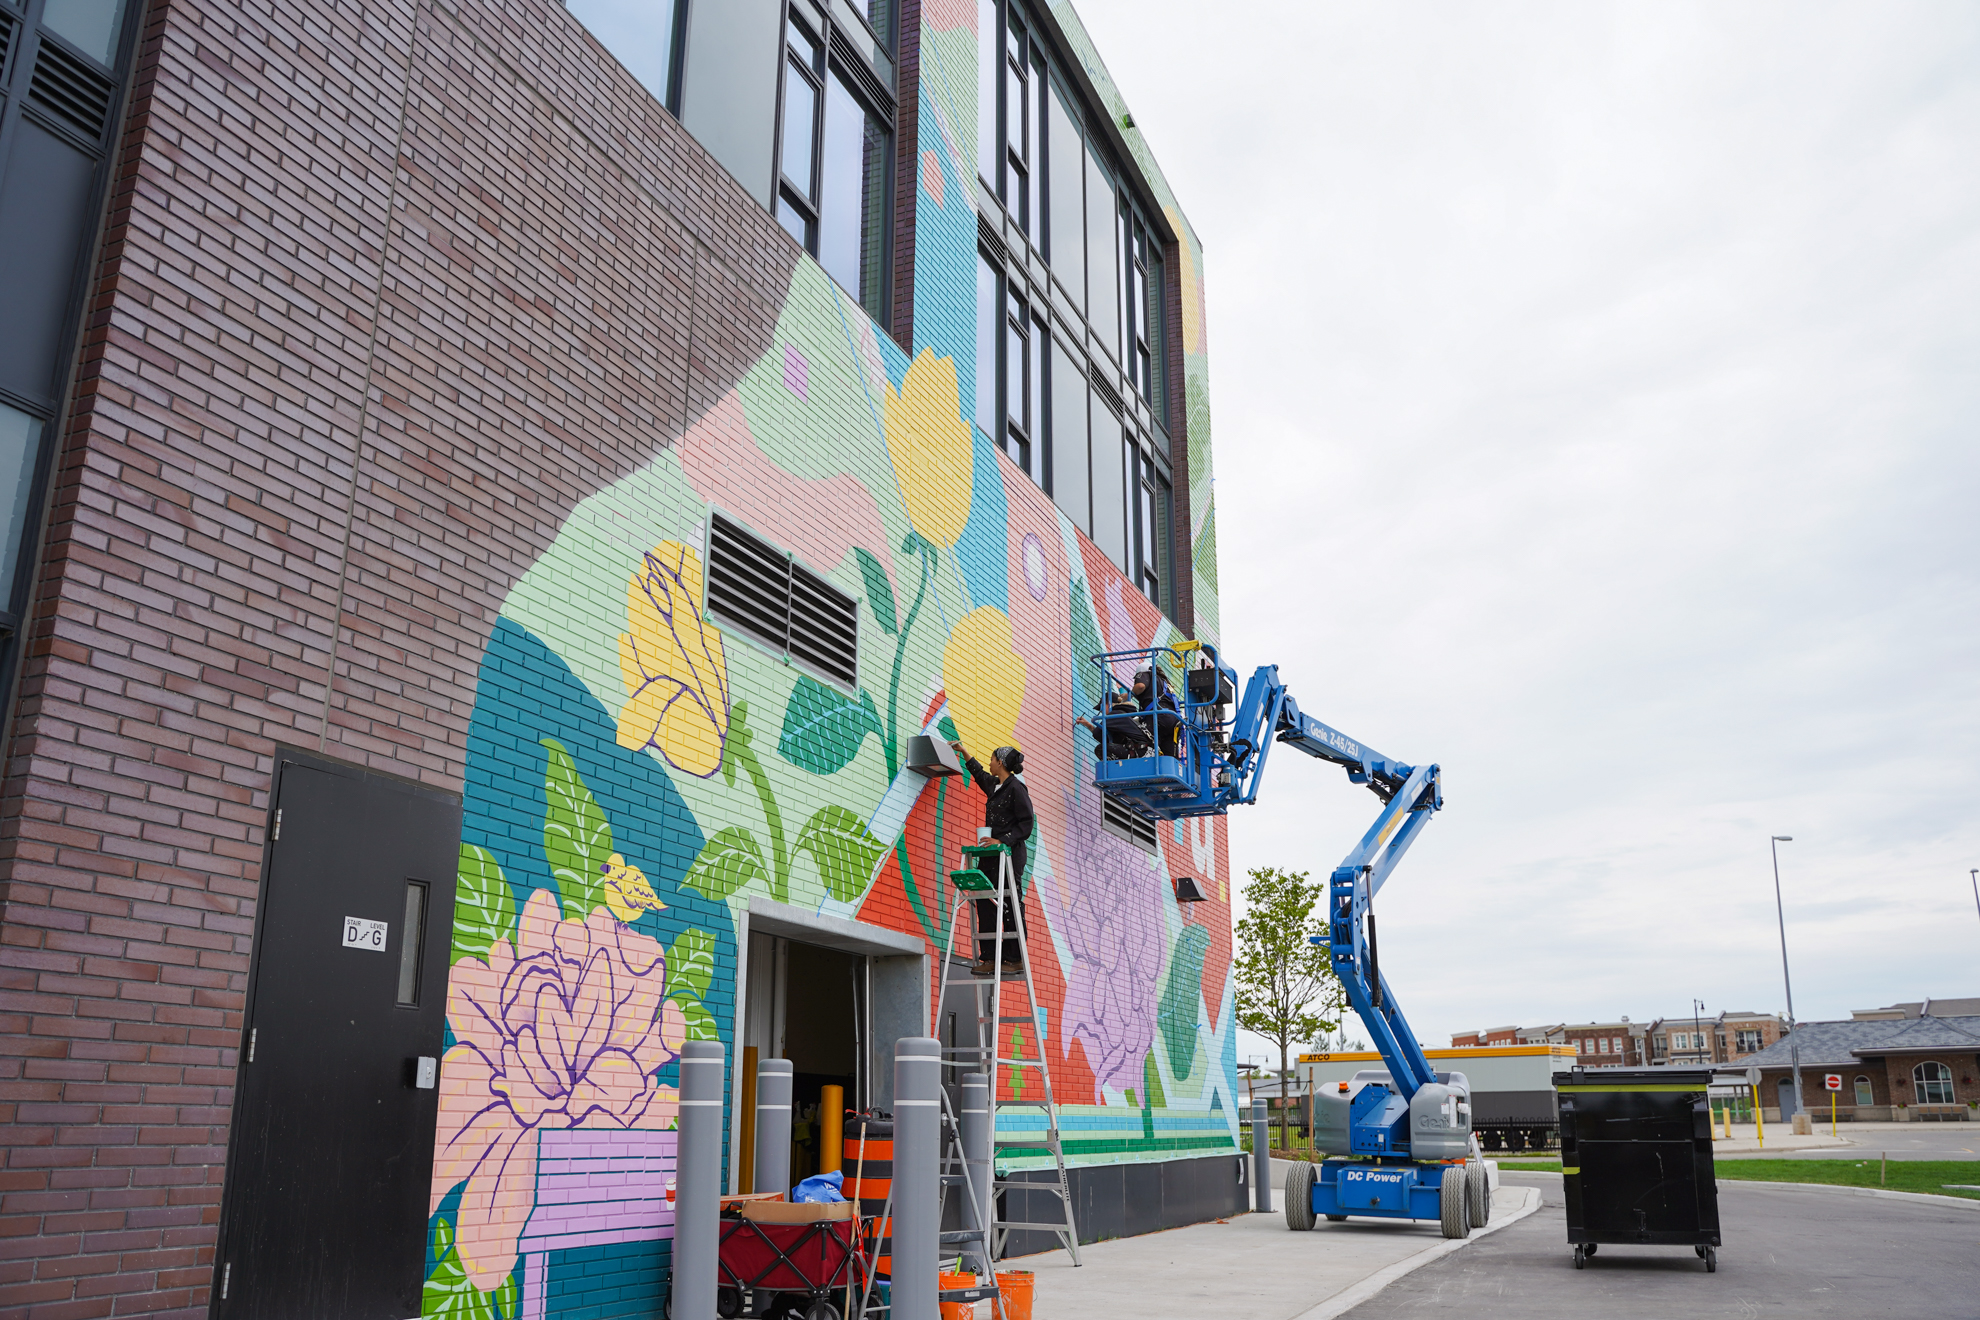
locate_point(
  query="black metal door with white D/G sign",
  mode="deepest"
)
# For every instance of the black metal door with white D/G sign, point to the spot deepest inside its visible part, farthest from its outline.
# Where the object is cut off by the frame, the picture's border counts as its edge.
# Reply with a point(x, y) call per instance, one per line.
point(332, 1155)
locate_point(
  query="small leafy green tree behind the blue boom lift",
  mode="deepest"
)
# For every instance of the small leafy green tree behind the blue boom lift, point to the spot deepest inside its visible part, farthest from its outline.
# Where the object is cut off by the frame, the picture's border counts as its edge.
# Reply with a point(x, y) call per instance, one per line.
point(1286, 985)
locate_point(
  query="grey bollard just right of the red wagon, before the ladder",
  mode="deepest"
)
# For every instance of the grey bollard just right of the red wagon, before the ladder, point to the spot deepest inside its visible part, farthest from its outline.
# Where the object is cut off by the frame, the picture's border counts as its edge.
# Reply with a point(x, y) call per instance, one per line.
point(918, 1125)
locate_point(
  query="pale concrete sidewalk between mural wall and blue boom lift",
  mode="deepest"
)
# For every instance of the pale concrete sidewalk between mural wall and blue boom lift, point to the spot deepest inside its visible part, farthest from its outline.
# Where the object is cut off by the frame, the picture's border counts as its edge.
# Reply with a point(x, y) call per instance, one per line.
point(1250, 1268)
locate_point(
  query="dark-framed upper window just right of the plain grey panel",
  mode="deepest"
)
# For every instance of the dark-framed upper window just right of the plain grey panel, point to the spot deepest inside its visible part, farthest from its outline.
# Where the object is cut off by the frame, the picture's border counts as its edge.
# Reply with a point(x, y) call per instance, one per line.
point(835, 159)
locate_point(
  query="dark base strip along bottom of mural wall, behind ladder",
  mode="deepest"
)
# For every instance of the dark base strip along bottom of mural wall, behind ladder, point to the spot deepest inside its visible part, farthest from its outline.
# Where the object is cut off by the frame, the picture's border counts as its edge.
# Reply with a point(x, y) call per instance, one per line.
point(1122, 1200)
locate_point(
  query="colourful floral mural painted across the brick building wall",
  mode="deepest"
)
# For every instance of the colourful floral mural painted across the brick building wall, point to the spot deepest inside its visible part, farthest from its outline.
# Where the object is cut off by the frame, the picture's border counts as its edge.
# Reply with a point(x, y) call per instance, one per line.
point(637, 775)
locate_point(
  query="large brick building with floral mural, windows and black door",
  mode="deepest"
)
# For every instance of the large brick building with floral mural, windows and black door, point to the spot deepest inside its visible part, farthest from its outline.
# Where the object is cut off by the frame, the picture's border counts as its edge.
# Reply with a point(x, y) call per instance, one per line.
point(498, 486)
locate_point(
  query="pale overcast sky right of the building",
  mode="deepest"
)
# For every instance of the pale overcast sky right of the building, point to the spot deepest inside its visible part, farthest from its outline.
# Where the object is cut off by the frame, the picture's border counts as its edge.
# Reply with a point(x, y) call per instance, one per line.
point(1597, 395)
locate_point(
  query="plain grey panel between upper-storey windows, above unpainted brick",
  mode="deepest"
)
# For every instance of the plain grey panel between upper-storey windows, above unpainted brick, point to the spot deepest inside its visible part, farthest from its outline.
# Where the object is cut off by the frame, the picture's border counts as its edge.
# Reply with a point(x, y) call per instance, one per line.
point(730, 86)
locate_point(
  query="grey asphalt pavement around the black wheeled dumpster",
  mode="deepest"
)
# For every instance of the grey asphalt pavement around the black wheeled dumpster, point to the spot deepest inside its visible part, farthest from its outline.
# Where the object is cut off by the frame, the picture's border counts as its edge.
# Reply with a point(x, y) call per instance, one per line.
point(1789, 1252)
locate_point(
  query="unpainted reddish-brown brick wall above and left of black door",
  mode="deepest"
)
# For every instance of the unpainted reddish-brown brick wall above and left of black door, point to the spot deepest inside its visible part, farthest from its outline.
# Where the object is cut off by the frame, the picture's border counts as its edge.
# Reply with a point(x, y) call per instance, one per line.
point(387, 290)
